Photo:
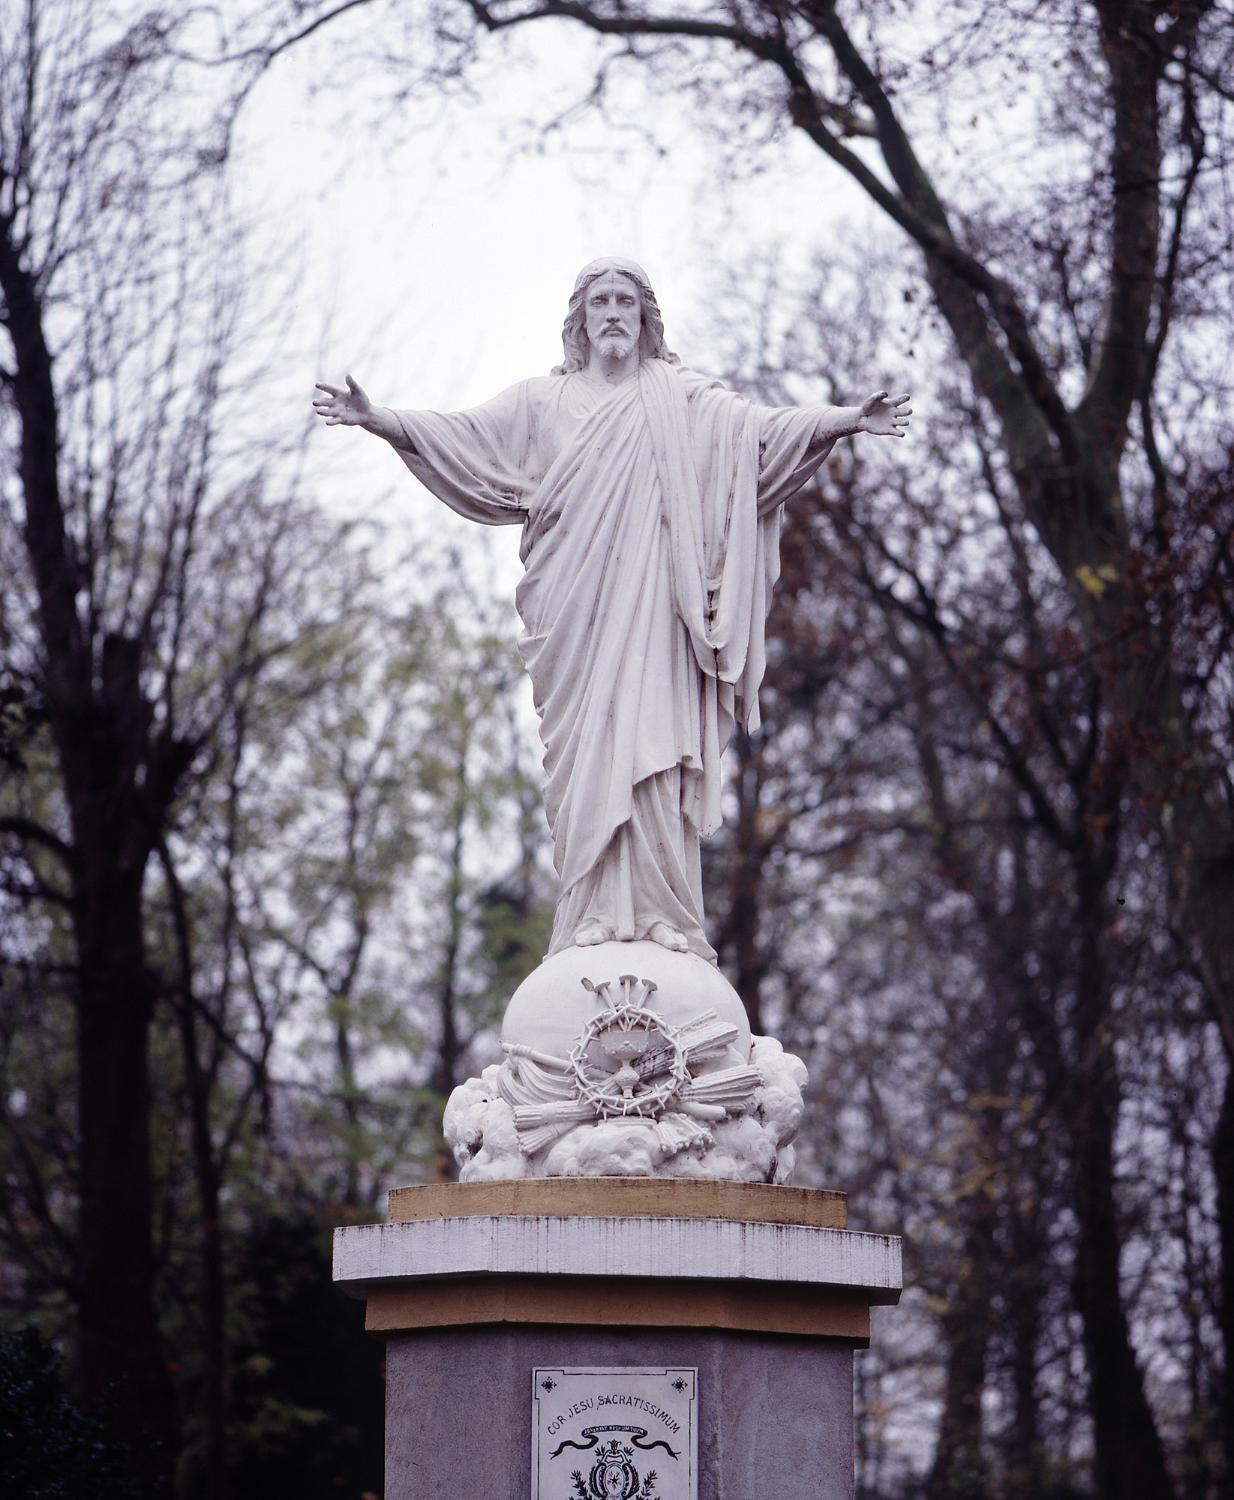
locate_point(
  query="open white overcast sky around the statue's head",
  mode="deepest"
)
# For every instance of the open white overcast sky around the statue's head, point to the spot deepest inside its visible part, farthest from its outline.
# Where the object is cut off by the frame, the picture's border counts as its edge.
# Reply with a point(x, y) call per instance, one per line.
point(440, 244)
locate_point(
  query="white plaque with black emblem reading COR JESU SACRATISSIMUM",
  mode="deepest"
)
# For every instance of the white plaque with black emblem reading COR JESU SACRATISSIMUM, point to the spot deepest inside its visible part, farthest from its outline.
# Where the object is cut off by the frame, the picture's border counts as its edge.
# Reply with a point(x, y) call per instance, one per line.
point(616, 1435)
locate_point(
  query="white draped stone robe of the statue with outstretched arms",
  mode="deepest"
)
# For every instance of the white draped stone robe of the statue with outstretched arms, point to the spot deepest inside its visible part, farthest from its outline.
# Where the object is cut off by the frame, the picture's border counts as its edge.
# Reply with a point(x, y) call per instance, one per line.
point(651, 544)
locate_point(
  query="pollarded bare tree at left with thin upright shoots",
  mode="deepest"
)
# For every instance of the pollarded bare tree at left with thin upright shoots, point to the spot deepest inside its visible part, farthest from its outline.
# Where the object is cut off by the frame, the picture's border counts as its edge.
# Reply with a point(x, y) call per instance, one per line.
point(155, 581)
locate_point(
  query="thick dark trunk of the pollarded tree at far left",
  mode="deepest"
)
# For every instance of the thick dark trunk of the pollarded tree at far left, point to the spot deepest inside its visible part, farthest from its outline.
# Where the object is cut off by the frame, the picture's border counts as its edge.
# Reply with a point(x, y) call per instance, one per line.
point(101, 727)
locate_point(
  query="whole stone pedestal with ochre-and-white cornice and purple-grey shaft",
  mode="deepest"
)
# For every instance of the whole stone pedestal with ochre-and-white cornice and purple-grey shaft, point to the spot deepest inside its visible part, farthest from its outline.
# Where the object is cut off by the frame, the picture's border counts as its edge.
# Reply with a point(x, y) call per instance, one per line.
point(761, 1294)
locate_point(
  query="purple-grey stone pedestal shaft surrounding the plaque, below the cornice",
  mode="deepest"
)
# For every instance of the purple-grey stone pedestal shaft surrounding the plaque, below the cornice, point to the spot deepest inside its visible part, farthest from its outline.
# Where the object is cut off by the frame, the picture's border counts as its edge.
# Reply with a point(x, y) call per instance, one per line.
point(774, 1414)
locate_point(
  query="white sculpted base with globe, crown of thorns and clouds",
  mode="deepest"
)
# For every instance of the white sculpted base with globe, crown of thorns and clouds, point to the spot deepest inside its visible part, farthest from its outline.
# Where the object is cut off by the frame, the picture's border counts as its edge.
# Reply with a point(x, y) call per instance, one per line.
point(629, 1060)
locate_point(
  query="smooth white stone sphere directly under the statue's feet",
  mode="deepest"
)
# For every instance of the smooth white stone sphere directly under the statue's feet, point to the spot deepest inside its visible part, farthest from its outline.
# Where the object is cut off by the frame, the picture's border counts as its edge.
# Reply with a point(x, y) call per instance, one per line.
point(551, 1007)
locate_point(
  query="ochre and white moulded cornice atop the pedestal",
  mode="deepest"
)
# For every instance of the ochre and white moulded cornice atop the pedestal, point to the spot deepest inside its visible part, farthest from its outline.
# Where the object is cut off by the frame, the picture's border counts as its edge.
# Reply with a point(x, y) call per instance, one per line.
point(620, 1253)
